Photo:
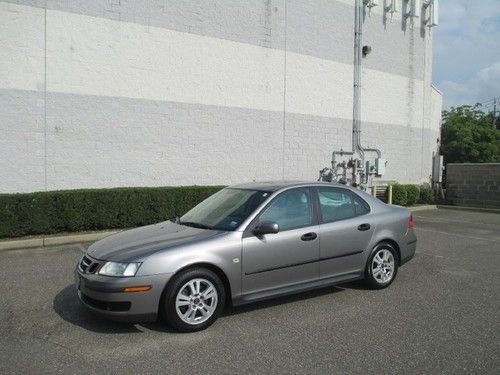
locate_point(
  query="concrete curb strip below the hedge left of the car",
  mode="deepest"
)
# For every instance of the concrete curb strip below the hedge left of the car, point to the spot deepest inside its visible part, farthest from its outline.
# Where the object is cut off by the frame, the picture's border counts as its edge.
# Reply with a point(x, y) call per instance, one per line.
point(54, 240)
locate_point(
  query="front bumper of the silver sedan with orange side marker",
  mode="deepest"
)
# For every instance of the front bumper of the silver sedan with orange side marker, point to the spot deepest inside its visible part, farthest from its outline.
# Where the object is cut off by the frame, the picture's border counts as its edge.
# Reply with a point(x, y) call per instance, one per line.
point(104, 296)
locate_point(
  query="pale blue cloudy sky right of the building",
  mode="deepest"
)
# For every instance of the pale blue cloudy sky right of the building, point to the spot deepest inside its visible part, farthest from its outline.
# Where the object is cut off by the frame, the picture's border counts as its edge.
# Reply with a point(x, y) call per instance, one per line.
point(467, 51)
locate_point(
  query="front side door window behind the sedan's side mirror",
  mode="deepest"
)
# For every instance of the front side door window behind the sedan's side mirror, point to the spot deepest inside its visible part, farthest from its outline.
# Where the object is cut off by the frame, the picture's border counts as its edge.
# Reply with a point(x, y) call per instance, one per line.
point(291, 209)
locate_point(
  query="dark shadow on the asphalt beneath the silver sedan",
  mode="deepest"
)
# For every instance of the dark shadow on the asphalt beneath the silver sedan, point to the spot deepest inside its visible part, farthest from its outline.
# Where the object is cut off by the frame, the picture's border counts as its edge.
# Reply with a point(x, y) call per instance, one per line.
point(67, 305)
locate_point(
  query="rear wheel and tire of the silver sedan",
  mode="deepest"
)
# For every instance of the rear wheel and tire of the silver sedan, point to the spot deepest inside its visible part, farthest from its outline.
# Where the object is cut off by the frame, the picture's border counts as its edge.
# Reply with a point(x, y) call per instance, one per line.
point(382, 266)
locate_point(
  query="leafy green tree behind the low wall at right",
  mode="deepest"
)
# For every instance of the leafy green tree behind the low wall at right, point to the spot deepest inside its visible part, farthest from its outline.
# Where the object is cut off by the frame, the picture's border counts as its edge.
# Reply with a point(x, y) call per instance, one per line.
point(468, 136)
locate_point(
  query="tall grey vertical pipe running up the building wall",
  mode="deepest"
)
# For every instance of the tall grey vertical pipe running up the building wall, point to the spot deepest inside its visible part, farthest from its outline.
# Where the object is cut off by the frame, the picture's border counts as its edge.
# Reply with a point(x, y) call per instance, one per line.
point(358, 52)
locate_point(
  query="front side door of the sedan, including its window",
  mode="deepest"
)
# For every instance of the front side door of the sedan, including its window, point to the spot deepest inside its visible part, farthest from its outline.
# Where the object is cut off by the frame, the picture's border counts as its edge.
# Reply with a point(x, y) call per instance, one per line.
point(288, 257)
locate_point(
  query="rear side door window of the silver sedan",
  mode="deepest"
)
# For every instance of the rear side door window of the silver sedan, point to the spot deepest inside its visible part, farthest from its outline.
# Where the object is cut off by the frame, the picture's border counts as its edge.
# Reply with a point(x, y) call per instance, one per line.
point(339, 204)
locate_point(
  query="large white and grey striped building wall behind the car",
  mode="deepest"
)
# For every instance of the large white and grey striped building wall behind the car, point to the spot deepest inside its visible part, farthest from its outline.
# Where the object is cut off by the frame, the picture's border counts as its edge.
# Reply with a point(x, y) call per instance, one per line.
point(107, 93)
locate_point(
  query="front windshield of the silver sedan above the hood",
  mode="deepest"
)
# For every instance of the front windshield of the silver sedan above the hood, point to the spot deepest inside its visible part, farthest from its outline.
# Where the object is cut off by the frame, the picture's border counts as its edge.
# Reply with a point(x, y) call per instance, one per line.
point(225, 210)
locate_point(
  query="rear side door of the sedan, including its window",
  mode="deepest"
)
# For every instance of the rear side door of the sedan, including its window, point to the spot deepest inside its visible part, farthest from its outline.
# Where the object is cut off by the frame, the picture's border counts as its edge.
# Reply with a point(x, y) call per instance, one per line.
point(345, 230)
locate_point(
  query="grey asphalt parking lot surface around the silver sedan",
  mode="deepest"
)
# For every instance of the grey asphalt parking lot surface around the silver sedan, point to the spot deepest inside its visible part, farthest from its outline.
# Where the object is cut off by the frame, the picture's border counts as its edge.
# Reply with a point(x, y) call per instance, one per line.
point(441, 315)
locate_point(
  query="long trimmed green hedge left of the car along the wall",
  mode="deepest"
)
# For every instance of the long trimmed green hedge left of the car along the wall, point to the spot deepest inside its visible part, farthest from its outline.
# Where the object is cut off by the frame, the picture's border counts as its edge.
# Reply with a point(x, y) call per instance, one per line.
point(81, 210)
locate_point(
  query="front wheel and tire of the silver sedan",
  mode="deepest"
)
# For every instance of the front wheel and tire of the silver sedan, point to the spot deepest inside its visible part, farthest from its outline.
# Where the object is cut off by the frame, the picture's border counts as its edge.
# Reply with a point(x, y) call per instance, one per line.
point(193, 300)
